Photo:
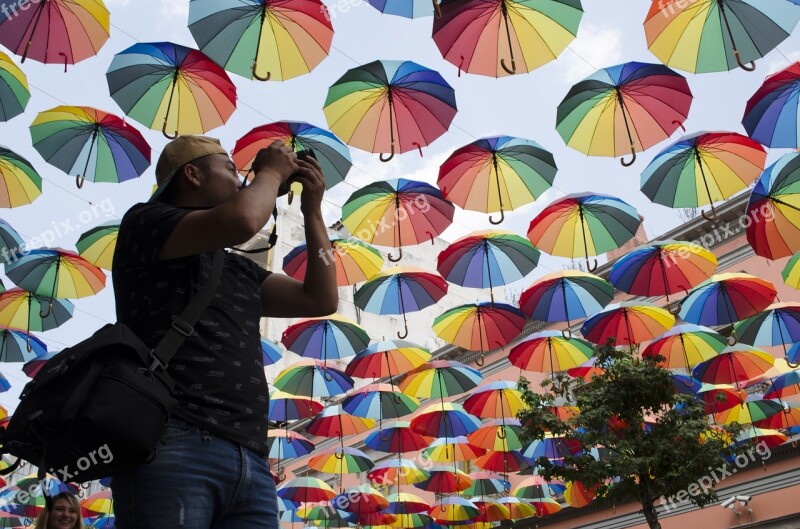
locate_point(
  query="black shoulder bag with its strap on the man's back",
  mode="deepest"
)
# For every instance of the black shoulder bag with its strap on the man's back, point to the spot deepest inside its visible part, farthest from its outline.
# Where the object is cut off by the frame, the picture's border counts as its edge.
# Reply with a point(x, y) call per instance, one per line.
point(98, 408)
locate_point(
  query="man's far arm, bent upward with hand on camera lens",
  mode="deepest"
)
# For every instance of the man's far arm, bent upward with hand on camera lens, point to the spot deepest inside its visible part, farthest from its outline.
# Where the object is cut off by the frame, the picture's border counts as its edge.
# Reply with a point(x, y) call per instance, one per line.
point(317, 295)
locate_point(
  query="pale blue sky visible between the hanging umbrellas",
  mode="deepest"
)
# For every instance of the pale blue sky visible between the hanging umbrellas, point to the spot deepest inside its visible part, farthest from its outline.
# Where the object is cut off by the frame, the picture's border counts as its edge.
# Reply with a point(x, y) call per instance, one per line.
point(523, 105)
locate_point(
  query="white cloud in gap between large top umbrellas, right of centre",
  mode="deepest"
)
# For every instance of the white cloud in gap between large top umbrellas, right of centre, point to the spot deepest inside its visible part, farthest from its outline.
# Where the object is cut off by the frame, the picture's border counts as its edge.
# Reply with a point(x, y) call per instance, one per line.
point(596, 47)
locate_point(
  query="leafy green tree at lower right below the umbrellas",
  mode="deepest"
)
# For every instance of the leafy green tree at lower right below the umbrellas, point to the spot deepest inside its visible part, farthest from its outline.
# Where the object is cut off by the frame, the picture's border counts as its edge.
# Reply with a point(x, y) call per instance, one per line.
point(658, 442)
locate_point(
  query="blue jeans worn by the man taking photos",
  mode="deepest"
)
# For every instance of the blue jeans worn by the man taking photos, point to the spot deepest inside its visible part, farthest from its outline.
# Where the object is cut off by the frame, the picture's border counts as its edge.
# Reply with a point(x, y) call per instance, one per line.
point(197, 481)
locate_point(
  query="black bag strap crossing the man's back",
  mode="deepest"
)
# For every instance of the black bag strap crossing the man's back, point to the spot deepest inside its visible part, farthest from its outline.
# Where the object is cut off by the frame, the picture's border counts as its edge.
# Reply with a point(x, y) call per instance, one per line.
point(183, 325)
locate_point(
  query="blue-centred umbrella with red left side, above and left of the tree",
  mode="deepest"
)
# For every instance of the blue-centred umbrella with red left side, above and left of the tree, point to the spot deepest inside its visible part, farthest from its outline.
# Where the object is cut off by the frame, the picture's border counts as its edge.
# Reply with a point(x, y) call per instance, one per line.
point(561, 296)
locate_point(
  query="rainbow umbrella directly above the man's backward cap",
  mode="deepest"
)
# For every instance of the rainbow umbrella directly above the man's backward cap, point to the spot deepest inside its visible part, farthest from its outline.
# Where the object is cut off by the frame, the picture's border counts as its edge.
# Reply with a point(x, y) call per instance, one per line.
point(148, 79)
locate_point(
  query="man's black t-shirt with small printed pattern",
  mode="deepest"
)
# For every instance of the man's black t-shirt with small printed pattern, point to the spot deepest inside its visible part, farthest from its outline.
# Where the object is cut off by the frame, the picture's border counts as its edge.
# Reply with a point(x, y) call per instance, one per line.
point(219, 370)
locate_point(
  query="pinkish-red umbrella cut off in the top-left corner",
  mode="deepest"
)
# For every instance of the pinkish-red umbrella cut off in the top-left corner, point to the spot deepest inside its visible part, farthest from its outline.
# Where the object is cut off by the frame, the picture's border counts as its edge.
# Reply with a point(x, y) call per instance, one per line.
point(56, 31)
